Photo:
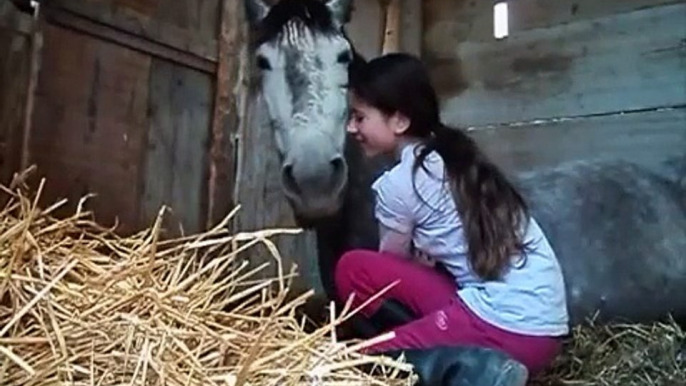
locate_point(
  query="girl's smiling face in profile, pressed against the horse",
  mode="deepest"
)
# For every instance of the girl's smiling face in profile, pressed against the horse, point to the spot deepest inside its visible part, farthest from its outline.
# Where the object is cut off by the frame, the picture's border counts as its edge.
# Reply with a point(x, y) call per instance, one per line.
point(376, 132)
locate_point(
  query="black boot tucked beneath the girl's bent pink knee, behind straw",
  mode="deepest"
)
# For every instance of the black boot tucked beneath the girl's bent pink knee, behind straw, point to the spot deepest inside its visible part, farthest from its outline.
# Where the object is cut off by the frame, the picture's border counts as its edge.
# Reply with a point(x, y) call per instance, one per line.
point(389, 315)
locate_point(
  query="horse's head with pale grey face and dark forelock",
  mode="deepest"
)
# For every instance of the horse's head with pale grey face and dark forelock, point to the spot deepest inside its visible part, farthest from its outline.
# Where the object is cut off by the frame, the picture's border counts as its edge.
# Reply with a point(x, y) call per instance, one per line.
point(303, 55)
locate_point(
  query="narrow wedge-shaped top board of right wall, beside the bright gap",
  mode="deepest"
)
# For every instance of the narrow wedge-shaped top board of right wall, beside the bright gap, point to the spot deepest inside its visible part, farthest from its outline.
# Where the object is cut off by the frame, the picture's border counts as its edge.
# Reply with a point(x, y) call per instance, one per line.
point(529, 14)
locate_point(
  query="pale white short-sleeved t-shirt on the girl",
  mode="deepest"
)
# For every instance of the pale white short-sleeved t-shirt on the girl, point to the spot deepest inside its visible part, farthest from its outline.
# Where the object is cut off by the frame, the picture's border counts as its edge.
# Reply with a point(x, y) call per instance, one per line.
point(530, 298)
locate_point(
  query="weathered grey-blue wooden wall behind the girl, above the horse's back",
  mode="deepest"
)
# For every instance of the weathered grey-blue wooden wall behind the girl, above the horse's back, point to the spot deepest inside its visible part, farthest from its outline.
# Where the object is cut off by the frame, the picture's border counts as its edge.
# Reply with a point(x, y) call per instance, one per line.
point(574, 80)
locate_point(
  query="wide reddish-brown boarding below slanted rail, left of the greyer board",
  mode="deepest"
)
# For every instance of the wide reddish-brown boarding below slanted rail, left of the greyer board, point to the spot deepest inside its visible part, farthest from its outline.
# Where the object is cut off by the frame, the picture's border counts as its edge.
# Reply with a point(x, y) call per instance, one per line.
point(90, 124)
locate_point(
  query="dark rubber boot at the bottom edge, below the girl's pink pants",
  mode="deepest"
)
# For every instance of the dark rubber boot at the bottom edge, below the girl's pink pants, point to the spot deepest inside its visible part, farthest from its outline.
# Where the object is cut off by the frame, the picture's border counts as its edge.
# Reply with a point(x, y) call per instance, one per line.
point(463, 366)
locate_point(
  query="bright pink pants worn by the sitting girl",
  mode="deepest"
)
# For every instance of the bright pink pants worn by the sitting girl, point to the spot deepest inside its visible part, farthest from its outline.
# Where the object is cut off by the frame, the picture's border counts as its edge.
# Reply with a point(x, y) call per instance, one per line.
point(443, 318)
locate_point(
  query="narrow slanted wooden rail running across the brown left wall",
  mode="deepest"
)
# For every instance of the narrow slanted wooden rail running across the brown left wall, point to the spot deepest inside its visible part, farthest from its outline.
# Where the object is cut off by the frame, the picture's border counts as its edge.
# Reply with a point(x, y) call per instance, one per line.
point(68, 19)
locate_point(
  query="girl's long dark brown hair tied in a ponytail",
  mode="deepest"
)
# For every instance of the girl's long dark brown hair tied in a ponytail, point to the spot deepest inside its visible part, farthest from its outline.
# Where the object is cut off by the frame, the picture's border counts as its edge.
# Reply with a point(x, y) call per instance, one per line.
point(493, 212)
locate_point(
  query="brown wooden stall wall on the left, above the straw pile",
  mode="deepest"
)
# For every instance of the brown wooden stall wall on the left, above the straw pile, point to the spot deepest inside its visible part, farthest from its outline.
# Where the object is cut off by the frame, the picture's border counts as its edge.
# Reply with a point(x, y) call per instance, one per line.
point(124, 107)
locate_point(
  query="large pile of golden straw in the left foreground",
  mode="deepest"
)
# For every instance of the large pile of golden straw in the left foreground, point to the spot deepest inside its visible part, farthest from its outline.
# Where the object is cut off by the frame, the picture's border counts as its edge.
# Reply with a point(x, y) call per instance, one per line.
point(81, 306)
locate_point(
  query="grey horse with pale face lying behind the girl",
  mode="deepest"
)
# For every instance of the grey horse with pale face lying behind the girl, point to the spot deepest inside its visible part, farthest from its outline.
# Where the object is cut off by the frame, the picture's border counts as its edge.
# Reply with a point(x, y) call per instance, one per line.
point(618, 228)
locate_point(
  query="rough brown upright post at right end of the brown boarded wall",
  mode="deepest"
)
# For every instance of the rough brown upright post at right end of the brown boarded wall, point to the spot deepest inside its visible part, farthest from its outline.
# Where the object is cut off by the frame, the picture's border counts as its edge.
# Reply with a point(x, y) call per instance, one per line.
point(225, 121)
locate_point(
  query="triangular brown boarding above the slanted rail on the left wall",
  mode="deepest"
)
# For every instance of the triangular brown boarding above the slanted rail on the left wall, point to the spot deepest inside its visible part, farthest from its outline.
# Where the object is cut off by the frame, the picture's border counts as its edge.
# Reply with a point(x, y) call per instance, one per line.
point(139, 18)
